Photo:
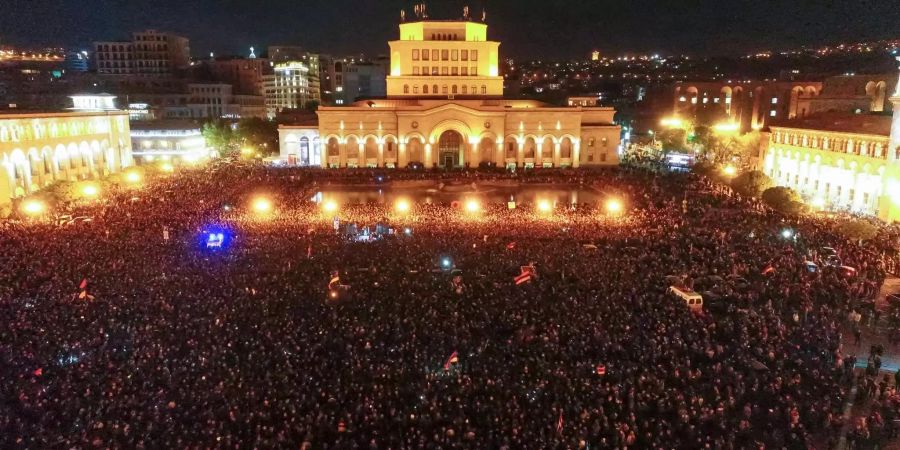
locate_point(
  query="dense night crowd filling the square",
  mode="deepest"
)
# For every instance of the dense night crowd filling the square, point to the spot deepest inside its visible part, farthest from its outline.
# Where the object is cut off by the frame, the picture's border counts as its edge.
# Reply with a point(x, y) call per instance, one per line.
point(175, 345)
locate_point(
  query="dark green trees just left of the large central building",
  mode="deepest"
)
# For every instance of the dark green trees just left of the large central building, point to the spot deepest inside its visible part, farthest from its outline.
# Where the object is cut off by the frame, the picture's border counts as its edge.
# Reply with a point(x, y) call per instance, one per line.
point(258, 135)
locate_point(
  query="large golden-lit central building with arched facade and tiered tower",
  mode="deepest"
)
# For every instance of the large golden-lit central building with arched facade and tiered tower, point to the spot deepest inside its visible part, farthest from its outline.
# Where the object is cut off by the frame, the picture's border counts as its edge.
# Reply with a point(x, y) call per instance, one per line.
point(444, 107)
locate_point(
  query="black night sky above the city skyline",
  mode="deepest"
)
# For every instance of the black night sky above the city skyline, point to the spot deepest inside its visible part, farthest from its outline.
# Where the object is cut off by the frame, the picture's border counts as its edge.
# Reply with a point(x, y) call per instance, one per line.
point(531, 29)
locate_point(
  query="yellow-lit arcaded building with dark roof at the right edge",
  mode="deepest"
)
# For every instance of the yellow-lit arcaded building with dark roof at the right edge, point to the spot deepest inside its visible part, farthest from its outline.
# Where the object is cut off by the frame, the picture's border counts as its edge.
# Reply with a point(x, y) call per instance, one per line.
point(840, 160)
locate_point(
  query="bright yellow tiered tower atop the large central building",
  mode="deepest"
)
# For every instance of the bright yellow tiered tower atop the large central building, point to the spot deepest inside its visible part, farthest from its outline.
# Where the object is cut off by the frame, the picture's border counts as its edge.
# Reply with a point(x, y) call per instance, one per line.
point(444, 59)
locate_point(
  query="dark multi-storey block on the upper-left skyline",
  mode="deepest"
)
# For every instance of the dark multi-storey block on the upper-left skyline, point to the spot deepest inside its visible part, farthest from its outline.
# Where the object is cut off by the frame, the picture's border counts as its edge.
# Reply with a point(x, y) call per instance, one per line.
point(149, 53)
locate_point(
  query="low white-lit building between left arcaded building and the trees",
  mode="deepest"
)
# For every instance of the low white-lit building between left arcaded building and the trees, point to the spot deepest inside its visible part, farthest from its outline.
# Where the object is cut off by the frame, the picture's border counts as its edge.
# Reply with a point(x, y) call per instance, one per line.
point(165, 140)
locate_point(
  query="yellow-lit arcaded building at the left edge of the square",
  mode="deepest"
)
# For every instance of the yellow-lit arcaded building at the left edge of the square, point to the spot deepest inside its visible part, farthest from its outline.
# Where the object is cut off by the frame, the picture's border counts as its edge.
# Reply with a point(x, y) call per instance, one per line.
point(40, 148)
